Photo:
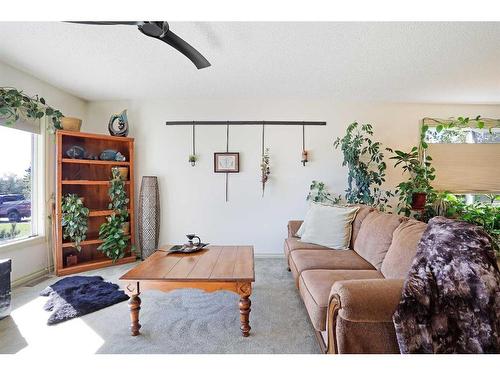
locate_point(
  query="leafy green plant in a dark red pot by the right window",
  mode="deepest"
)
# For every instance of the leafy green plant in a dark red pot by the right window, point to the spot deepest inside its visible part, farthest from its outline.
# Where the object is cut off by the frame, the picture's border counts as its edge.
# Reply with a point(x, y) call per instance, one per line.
point(413, 192)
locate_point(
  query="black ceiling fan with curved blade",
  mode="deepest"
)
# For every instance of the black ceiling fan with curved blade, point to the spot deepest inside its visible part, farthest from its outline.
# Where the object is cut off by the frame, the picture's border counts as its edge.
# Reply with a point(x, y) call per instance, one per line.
point(159, 30)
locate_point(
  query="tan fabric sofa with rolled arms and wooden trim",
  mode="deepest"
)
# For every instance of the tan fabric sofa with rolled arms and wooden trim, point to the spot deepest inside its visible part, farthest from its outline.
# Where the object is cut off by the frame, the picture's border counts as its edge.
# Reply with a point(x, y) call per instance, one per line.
point(351, 295)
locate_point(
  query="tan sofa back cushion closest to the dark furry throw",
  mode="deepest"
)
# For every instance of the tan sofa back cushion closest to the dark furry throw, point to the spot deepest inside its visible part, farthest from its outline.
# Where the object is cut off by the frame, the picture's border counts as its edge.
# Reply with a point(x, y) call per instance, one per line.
point(403, 248)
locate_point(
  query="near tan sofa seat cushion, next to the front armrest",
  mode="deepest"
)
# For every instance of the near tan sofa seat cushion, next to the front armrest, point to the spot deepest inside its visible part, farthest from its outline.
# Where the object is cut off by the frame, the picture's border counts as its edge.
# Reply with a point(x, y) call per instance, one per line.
point(315, 286)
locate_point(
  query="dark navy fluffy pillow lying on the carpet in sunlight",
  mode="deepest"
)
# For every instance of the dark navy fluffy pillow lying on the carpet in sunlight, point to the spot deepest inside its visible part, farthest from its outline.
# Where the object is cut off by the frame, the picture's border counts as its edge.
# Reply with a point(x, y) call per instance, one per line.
point(76, 296)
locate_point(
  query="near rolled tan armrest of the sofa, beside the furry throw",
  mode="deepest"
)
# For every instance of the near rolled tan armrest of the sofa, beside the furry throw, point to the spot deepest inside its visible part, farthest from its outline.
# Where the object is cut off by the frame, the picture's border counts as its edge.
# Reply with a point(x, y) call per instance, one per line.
point(369, 300)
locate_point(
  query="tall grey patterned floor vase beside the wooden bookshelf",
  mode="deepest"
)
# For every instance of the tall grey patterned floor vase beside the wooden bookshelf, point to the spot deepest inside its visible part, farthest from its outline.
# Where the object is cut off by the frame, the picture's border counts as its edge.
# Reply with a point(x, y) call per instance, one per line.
point(149, 216)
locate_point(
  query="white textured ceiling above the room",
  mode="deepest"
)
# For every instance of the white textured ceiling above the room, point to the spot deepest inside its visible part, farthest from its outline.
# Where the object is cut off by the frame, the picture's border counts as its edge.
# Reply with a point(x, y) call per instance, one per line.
point(410, 62)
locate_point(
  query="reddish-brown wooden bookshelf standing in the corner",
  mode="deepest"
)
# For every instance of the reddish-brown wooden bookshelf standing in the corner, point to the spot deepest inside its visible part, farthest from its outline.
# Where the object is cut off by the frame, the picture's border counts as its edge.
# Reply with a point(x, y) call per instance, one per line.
point(90, 180)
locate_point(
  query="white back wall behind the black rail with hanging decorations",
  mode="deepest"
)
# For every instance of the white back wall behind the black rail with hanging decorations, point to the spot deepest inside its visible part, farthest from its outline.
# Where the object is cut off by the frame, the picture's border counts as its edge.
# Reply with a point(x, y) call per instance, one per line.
point(192, 199)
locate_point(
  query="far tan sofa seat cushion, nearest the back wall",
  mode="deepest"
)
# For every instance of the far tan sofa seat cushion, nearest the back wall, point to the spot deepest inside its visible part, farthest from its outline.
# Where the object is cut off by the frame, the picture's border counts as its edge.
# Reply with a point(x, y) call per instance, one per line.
point(301, 260)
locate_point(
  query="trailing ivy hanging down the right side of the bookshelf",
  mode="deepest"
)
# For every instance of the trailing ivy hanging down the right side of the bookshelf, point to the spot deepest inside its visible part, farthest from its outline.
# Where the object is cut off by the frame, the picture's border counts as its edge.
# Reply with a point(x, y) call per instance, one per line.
point(115, 241)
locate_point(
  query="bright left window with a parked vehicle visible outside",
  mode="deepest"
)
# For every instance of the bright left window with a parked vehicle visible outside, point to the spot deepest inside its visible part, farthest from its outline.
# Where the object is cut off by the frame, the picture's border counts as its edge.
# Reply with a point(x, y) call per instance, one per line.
point(18, 185)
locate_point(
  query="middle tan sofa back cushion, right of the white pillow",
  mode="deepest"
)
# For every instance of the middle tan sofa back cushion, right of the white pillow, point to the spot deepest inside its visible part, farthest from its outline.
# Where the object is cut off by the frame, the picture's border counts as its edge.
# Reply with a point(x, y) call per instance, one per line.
point(375, 236)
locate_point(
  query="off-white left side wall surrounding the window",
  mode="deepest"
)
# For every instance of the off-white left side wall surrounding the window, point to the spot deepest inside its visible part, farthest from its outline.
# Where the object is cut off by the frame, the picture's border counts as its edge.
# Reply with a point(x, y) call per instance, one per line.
point(30, 259)
